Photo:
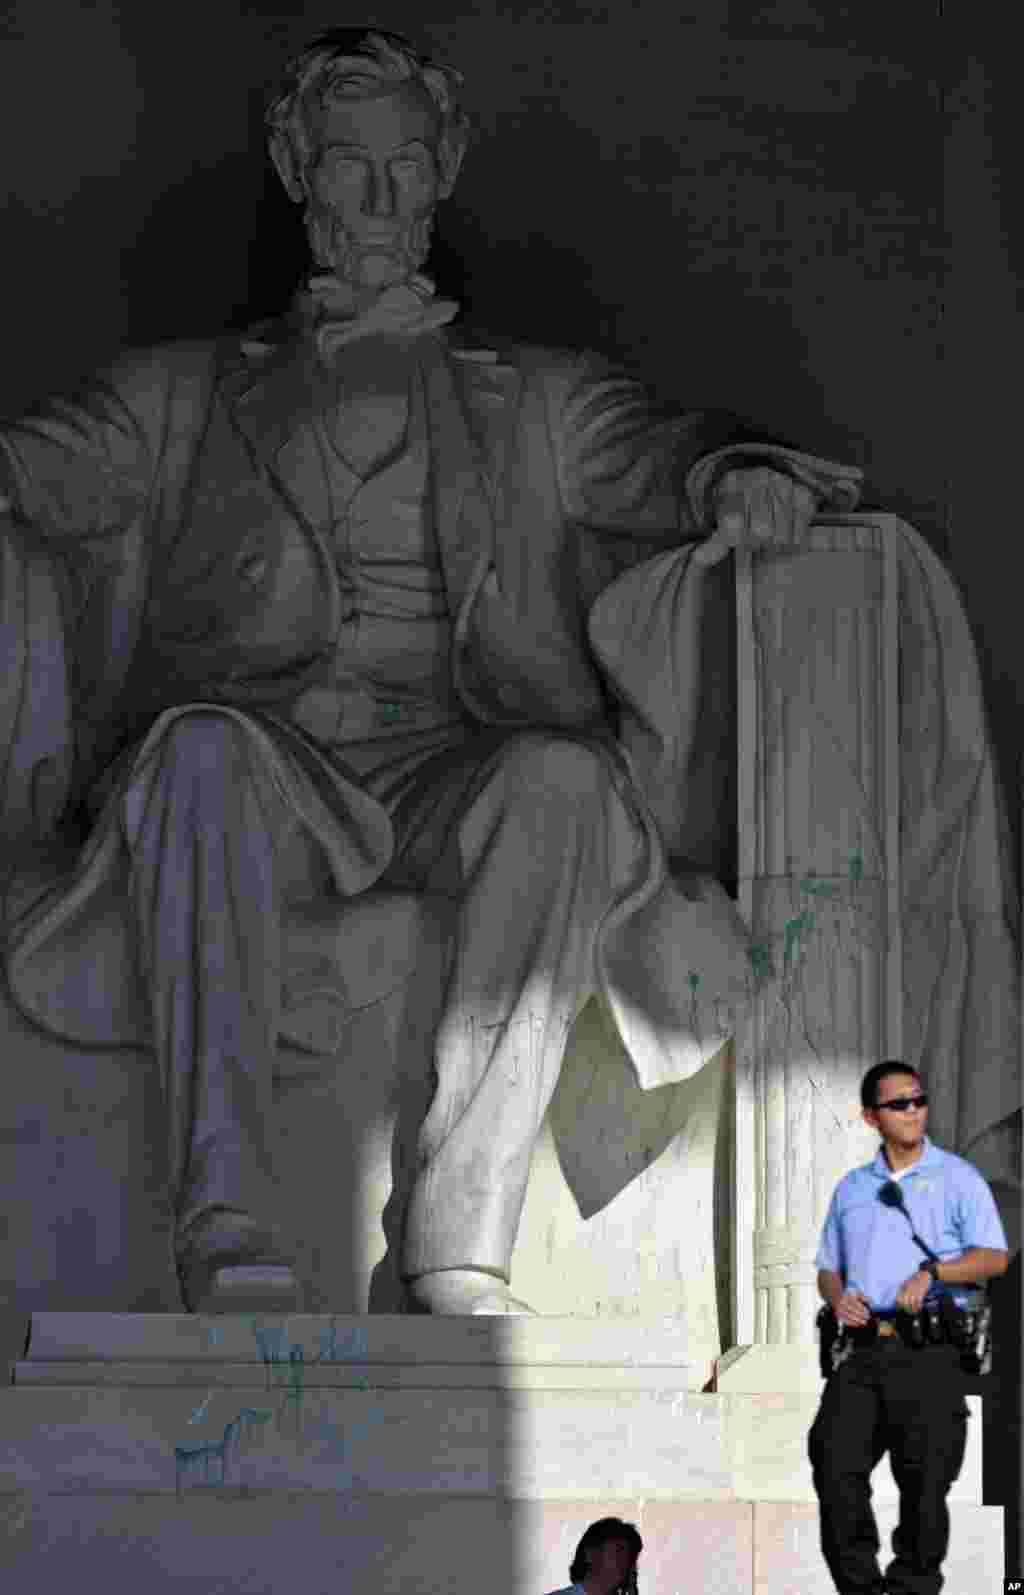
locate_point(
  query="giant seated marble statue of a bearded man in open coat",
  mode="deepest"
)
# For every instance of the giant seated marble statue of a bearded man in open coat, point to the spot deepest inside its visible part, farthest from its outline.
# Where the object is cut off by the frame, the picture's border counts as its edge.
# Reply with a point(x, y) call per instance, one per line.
point(339, 612)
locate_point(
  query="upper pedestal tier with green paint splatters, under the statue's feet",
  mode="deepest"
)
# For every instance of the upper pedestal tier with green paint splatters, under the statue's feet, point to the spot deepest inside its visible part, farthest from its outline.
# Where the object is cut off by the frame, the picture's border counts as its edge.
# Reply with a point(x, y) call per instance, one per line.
point(240, 1408)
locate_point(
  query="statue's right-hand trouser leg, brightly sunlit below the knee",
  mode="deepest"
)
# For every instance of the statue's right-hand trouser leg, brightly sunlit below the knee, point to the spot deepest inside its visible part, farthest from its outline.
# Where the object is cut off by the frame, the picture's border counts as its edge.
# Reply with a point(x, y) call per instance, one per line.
point(546, 846)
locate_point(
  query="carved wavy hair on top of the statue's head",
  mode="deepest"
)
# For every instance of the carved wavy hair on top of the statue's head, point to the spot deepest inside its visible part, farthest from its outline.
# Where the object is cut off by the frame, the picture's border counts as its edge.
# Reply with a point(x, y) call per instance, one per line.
point(350, 63)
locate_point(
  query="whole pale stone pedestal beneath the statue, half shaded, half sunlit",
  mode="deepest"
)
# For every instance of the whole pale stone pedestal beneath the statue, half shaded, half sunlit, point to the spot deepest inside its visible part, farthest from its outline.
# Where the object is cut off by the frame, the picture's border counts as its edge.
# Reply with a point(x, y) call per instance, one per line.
point(313, 1455)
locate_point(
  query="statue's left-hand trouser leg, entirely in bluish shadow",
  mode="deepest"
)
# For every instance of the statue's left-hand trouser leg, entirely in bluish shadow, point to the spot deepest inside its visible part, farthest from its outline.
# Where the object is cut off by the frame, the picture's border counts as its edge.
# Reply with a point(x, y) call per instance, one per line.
point(203, 822)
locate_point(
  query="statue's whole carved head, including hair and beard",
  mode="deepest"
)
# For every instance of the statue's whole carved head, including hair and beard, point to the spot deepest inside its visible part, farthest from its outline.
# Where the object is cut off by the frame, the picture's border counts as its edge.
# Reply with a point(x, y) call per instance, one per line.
point(366, 133)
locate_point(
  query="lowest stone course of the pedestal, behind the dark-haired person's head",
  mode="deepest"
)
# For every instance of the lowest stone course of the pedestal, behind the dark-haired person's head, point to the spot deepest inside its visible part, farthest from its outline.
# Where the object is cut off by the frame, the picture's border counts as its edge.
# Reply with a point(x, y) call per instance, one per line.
point(305, 1543)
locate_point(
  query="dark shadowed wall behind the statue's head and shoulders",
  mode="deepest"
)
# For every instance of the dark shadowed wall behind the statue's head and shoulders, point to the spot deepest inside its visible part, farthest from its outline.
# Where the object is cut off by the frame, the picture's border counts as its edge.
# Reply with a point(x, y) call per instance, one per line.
point(801, 210)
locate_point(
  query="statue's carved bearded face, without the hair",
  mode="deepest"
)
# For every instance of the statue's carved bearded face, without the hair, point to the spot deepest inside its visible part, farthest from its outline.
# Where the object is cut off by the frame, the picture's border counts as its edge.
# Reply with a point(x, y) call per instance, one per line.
point(374, 186)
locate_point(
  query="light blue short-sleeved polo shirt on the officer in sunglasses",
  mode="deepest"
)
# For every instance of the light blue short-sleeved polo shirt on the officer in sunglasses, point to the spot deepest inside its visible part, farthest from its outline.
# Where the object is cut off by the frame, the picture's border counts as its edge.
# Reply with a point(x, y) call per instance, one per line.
point(870, 1245)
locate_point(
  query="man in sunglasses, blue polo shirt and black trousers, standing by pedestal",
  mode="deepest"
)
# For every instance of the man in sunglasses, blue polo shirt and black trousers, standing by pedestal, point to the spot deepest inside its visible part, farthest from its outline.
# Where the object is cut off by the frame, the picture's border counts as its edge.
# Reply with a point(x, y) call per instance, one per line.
point(892, 1395)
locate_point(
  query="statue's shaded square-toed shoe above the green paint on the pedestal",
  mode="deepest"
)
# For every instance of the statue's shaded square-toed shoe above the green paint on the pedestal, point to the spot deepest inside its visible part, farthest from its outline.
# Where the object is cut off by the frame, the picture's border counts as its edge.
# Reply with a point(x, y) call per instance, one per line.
point(230, 1264)
